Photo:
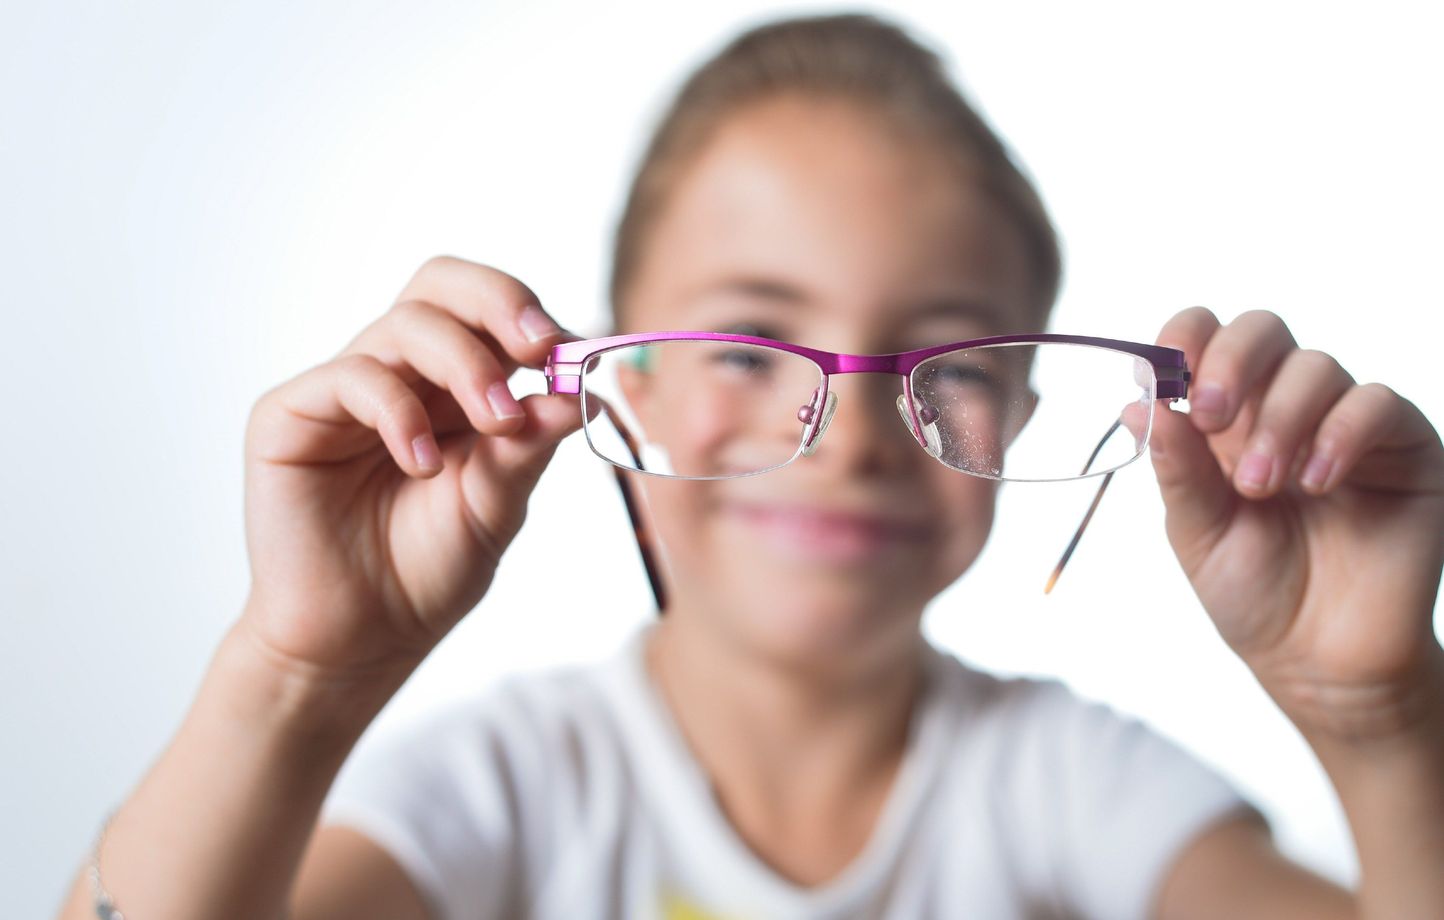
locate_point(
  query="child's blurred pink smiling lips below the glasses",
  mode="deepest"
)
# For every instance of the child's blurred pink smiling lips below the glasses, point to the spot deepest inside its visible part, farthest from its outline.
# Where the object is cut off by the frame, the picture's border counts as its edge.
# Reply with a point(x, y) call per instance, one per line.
point(827, 535)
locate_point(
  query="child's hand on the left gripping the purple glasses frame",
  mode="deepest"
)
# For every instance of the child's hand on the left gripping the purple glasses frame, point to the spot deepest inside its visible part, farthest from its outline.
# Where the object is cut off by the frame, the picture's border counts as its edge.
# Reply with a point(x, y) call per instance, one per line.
point(363, 555)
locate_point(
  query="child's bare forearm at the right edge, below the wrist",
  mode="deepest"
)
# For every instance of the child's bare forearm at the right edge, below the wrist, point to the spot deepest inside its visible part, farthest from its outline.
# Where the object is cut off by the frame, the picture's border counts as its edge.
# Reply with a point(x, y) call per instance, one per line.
point(1391, 785)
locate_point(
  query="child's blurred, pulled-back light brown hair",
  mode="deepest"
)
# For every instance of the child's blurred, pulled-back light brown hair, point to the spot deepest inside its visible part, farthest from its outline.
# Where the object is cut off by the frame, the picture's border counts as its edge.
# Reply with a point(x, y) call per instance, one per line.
point(854, 57)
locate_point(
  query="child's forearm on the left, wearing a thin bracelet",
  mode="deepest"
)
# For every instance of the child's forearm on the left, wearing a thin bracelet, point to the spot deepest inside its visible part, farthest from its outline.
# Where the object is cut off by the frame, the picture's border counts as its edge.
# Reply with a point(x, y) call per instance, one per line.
point(219, 825)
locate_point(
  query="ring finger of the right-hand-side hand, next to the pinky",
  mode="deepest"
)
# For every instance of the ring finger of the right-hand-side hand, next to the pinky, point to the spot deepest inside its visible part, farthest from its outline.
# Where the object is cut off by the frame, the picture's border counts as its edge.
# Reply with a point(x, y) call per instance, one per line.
point(1300, 395)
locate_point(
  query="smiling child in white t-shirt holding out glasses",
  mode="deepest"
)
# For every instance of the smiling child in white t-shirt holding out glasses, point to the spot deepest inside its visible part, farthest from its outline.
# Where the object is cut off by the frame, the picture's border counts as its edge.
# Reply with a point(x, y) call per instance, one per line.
point(783, 743)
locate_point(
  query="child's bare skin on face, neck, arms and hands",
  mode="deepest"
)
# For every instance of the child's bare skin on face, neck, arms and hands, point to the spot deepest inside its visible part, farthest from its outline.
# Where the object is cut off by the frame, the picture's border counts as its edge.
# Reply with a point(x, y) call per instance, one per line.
point(385, 485)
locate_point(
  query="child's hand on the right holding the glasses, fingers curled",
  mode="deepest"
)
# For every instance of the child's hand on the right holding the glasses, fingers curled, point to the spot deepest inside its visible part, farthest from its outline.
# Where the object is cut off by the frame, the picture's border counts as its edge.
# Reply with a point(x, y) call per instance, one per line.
point(1325, 586)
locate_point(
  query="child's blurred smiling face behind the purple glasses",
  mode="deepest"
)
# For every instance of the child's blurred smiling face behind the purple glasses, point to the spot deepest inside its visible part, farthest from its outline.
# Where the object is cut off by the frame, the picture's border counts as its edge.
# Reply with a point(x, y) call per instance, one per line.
point(819, 225)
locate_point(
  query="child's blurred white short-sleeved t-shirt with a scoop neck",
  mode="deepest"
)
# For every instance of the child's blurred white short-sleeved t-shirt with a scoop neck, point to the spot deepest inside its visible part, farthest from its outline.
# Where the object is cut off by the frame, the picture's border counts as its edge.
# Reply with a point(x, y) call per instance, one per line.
point(571, 794)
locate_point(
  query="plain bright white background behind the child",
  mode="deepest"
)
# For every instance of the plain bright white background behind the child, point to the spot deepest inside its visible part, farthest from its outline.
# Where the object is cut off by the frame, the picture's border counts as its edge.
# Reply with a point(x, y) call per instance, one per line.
point(199, 201)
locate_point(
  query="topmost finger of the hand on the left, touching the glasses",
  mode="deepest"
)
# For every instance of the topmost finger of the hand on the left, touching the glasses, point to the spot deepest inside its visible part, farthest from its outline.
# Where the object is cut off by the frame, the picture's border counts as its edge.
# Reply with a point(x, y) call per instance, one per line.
point(490, 301)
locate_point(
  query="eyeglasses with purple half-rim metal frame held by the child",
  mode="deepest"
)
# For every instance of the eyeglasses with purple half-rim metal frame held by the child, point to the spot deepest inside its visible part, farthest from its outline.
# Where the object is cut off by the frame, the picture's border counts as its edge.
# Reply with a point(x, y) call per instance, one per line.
point(1012, 408)
